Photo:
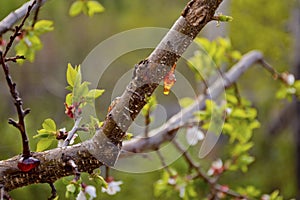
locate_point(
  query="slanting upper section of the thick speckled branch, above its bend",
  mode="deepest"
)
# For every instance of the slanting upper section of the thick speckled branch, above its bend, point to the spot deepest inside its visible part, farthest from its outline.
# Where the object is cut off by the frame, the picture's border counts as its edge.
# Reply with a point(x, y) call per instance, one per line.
point(150, 72)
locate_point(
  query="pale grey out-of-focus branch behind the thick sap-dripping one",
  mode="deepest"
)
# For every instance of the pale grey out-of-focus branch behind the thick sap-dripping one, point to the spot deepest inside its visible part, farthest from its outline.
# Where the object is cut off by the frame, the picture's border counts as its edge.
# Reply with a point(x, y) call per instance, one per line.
point(165, 133)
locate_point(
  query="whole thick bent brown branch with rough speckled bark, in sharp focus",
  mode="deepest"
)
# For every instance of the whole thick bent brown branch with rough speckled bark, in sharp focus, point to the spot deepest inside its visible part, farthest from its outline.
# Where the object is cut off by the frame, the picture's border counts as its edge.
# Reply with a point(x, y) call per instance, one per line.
point(105, 145)
